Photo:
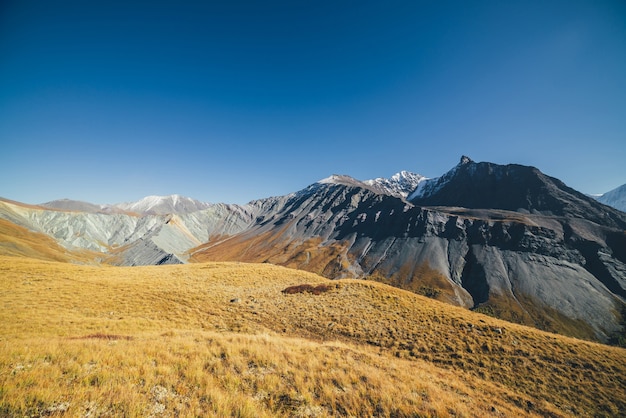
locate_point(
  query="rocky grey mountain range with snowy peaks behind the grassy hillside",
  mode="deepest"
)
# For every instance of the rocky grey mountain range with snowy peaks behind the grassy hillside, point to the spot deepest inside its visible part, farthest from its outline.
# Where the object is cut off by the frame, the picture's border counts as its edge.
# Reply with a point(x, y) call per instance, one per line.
point(506, 240)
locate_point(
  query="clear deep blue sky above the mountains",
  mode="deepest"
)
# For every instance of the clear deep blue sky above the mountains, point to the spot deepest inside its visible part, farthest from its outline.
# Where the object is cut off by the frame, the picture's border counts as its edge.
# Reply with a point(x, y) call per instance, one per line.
point(228, 101)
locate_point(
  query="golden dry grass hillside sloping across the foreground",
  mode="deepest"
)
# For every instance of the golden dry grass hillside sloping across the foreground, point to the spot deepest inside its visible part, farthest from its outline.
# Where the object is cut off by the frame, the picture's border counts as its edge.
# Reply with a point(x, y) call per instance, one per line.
point(224, 339)
